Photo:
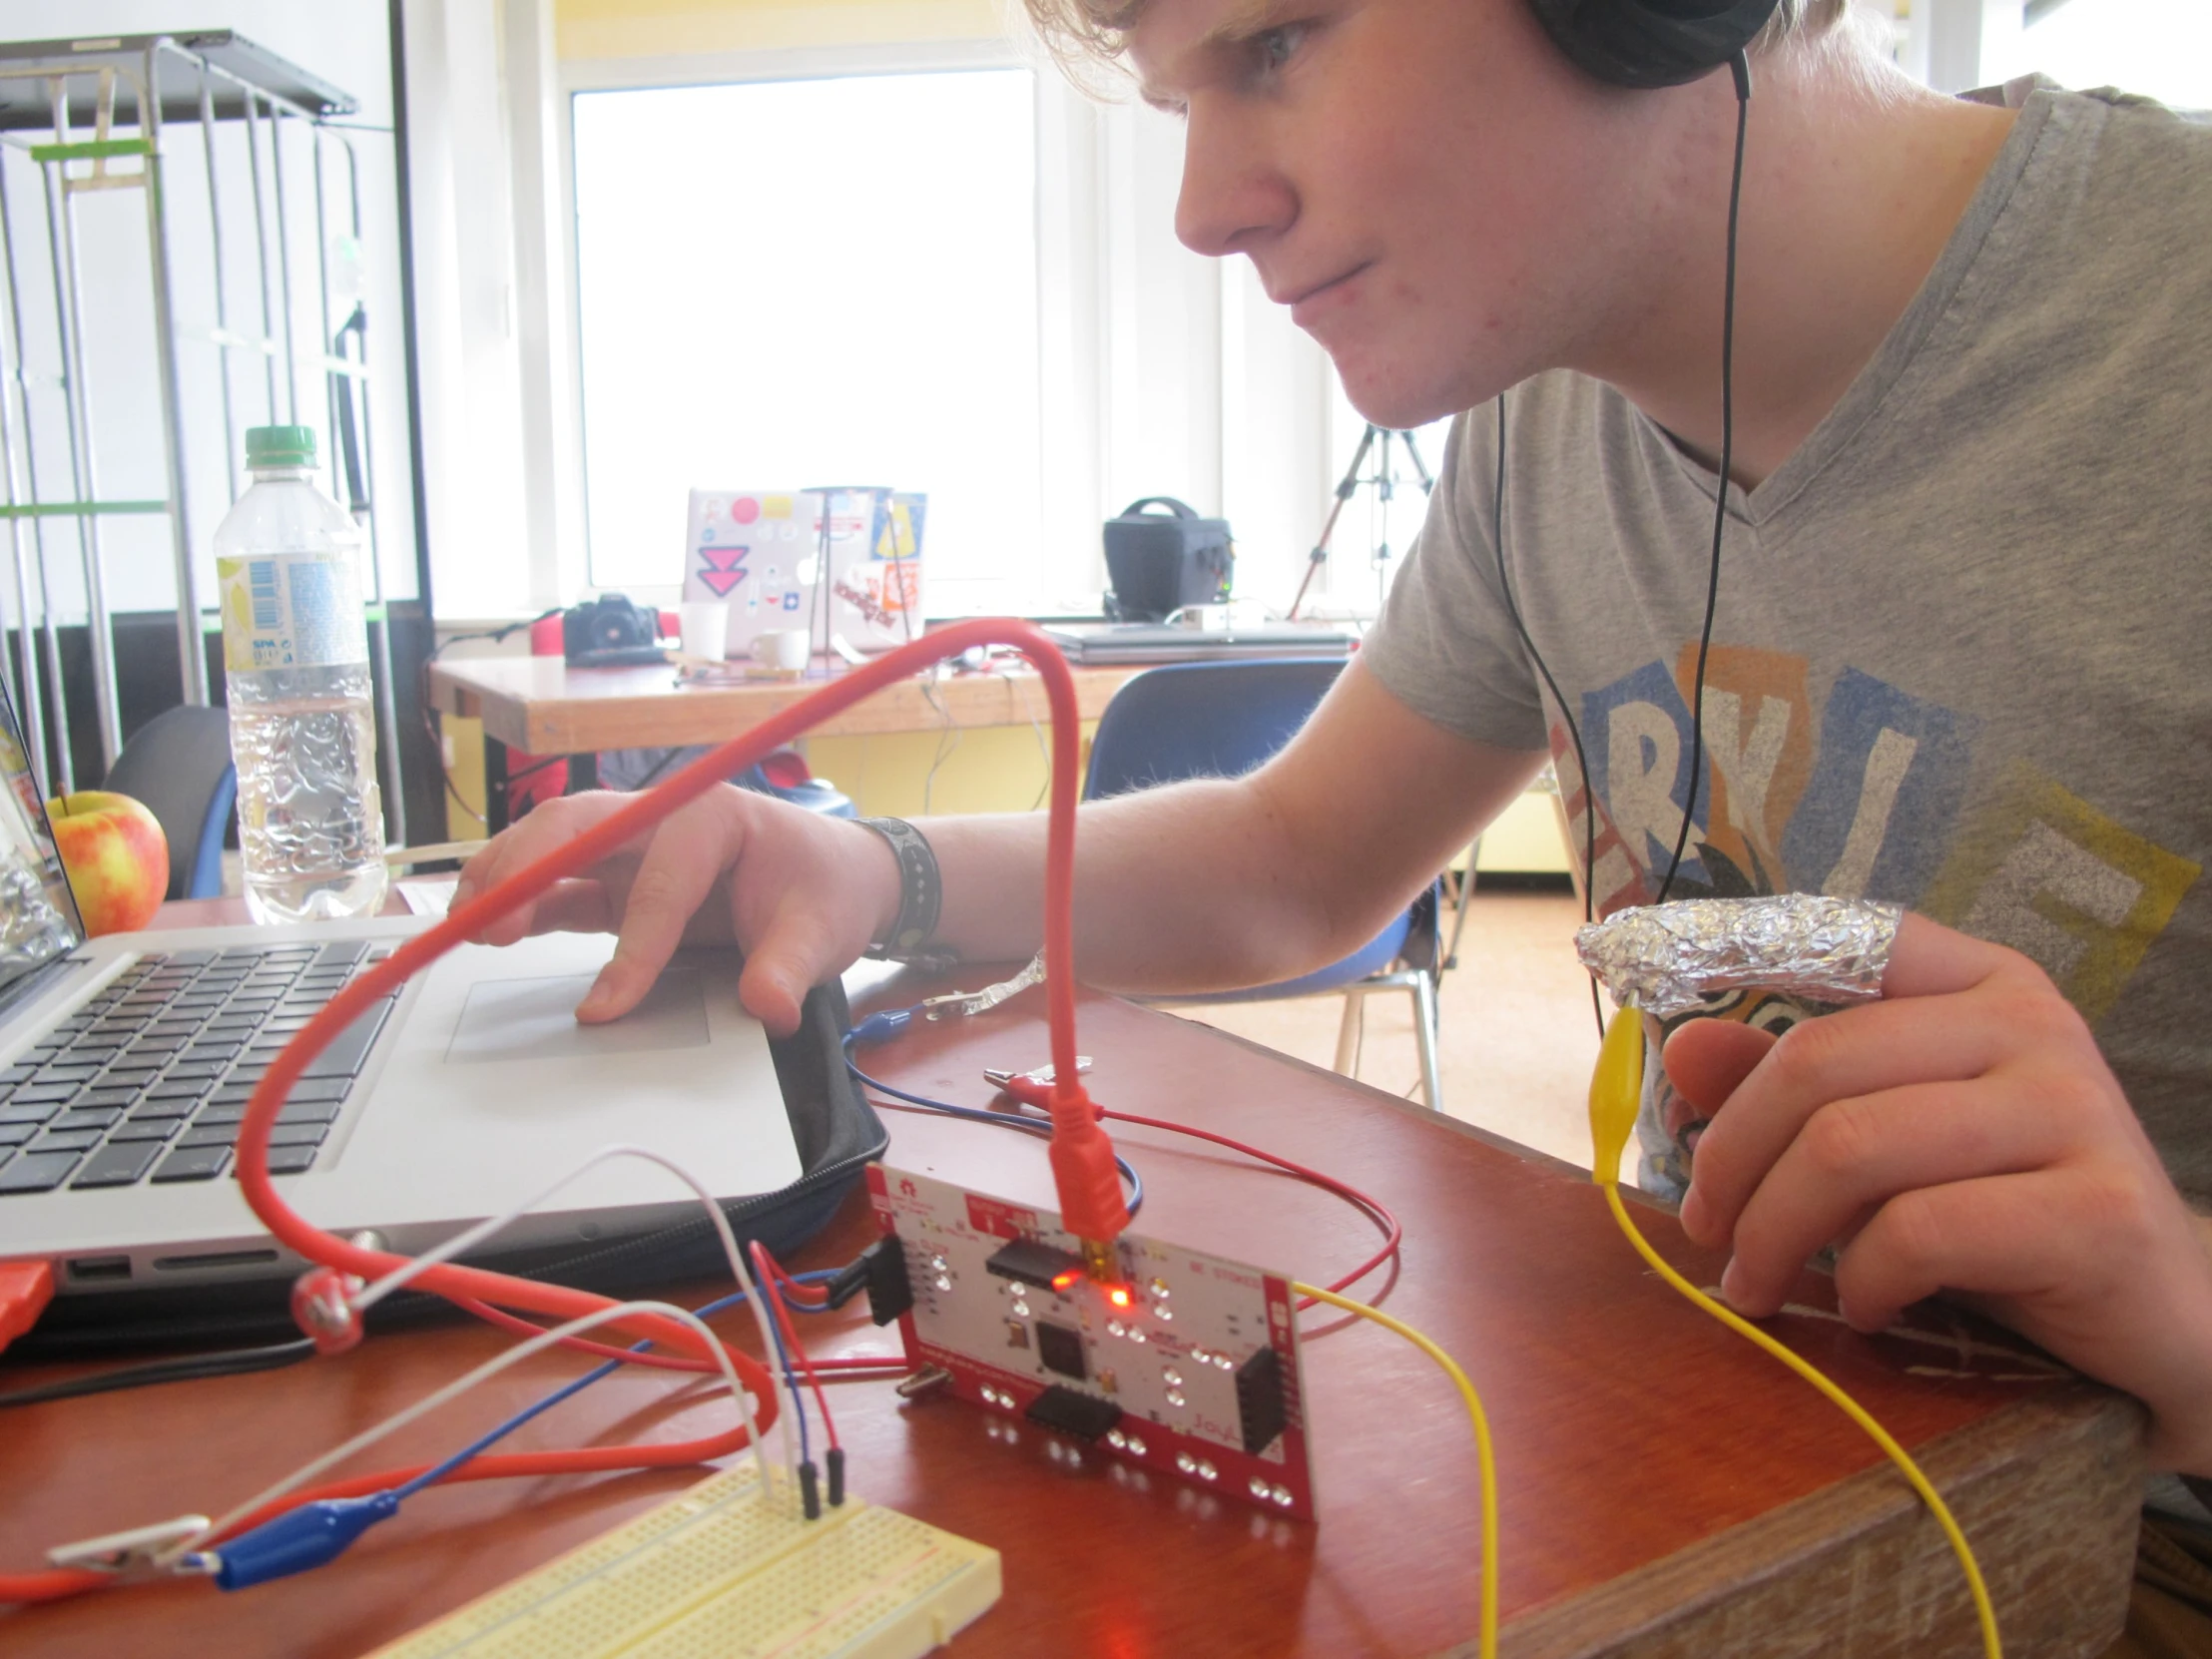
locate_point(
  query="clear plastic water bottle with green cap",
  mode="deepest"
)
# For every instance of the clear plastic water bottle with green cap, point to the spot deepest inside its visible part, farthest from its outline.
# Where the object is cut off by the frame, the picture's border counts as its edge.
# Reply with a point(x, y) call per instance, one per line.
point(298, 671)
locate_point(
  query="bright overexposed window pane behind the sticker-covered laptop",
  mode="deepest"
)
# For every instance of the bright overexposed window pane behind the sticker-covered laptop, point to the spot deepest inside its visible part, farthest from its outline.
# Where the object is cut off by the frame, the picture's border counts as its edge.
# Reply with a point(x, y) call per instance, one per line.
point(811, 282)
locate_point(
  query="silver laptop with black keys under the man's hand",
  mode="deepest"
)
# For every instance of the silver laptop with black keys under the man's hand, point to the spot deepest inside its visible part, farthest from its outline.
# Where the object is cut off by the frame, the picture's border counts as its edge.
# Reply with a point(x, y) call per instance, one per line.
point(125, 1067)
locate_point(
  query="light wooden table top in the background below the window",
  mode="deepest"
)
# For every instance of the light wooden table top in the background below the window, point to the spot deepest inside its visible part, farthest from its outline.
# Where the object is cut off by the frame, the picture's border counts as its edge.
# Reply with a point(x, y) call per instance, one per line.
point(545, 707)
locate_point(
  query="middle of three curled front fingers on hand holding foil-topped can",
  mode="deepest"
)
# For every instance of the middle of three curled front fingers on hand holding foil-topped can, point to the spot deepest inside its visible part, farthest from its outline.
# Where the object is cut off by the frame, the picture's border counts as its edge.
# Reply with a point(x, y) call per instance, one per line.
point(1857, 1156)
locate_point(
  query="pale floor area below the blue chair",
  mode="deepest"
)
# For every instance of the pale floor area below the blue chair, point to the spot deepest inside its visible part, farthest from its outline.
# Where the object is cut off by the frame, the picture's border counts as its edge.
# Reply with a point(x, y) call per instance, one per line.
point(1516, 1041)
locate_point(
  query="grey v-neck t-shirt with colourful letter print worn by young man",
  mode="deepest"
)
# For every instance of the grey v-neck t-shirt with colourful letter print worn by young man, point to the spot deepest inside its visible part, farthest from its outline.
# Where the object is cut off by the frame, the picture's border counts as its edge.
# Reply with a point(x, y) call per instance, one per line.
point(1963, 651)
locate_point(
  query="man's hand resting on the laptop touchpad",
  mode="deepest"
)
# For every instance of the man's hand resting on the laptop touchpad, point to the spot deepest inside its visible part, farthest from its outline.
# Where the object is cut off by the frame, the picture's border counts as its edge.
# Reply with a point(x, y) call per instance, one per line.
point(802, 895)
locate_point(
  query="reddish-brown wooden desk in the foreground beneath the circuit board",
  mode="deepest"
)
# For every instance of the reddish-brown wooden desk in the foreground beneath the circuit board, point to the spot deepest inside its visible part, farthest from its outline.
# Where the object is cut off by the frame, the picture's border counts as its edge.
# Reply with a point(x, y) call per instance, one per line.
point(1667, 1490)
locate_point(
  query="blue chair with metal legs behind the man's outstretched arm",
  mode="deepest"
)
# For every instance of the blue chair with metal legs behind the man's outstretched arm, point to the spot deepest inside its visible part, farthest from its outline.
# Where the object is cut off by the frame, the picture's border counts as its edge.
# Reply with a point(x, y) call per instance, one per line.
point(1220, 720)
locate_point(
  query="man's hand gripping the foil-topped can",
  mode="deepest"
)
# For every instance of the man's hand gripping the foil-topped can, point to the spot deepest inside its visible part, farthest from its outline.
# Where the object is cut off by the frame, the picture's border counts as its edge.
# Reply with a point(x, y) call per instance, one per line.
point(1961, 1136)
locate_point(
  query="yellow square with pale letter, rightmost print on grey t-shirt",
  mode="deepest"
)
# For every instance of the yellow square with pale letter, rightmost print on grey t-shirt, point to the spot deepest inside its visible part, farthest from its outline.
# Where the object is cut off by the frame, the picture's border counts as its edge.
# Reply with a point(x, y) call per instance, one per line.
point(2058, 881)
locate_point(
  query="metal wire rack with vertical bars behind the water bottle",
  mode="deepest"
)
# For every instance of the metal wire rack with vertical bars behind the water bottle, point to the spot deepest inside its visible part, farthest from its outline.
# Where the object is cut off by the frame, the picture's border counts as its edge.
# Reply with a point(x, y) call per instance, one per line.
point(94, 116)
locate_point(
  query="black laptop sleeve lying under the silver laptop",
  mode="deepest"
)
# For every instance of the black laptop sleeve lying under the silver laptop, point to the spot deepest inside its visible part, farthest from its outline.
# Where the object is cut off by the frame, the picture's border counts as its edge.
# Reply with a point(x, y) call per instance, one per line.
point(835, 1127)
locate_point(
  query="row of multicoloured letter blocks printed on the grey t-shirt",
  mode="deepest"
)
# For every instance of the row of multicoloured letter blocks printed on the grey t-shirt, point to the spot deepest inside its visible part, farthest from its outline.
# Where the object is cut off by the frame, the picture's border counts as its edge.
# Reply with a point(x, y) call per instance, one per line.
point(1868, 802)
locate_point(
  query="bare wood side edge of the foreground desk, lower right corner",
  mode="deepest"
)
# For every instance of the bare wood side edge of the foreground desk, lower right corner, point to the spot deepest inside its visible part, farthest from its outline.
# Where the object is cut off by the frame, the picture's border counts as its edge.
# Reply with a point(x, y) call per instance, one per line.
point(1870, 1538)
